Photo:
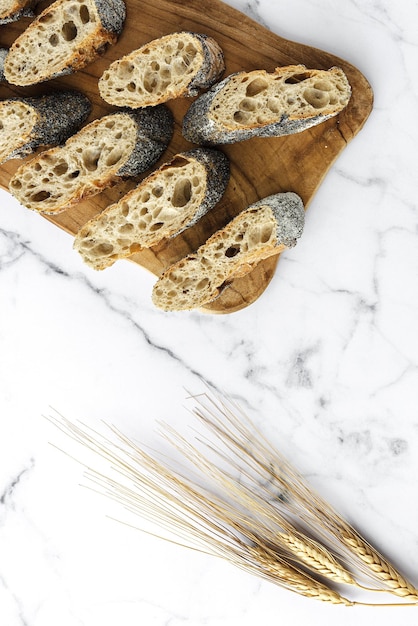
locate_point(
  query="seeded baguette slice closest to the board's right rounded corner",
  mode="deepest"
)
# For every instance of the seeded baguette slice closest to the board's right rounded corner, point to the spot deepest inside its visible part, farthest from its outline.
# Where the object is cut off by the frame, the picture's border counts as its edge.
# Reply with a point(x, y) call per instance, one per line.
point(258, 104)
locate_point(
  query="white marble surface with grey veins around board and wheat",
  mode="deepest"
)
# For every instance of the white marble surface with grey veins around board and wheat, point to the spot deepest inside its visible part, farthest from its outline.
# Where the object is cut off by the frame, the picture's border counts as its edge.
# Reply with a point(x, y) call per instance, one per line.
point(327, 359)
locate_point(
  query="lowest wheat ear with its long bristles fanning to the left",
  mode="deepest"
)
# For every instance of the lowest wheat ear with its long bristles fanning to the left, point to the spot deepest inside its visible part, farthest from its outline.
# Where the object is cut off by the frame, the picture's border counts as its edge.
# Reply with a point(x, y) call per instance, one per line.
point(200, 519)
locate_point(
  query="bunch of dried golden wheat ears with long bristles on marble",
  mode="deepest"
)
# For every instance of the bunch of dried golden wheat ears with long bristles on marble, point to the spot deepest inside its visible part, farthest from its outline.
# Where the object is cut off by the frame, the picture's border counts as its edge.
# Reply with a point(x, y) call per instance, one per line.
point(258, 512)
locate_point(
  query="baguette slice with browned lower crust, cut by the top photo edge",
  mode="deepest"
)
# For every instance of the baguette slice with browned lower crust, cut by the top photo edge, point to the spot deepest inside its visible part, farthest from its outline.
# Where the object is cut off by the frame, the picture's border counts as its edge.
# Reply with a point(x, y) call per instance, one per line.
point(64, 38)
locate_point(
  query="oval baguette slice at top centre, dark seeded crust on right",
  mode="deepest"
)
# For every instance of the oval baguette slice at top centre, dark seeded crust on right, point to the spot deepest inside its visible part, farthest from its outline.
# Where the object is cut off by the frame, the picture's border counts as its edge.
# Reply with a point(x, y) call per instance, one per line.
point(175, 65)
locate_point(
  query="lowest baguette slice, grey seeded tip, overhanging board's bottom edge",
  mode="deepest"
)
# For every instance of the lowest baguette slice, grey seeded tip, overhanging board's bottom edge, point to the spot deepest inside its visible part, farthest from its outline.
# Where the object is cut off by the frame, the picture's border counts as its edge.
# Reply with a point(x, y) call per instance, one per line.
point(265, 228)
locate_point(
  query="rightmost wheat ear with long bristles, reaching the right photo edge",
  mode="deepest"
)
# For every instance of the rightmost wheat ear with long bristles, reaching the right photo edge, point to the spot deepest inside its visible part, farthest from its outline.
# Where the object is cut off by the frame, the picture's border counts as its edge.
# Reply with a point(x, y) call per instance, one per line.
point(267, 471)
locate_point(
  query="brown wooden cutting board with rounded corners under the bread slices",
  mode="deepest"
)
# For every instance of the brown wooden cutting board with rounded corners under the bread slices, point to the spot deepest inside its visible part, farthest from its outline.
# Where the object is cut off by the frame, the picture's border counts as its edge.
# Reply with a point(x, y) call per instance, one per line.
point(259, 167)
